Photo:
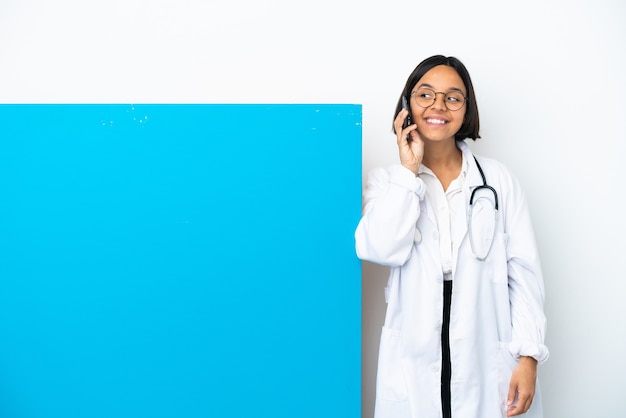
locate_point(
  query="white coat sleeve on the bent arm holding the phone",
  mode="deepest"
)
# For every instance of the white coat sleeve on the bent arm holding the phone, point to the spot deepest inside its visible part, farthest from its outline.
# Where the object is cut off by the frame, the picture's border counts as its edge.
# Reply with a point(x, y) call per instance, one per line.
point(391, 207)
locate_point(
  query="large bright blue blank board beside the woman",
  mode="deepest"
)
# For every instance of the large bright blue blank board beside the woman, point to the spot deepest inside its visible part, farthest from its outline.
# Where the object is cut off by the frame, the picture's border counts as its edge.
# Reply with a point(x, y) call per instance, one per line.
point(179, 261)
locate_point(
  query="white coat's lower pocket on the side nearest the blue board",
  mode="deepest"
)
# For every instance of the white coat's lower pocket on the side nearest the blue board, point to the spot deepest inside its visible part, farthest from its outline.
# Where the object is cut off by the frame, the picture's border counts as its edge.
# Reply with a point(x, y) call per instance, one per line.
point(390, 378)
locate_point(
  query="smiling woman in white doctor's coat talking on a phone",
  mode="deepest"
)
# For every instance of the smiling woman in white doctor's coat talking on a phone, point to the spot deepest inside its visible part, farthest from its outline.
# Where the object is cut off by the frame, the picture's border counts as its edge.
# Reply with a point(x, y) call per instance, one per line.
point(464, 329)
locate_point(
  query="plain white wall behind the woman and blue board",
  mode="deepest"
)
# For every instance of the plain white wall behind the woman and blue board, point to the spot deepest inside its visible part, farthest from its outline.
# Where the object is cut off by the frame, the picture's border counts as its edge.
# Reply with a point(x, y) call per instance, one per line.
point(549, 78)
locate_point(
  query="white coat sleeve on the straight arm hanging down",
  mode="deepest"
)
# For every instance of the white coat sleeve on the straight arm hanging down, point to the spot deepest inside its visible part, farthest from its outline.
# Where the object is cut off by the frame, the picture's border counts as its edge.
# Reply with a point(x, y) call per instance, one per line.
point(525, 279)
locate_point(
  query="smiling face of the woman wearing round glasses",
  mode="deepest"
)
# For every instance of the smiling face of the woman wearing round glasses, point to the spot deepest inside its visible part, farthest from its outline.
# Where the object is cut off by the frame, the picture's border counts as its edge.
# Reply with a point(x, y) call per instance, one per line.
point(436, 122)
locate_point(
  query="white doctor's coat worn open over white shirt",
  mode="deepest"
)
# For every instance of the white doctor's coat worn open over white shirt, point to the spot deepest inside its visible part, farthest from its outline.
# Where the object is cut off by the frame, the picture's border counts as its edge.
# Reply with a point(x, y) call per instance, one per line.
point(497, 304)
